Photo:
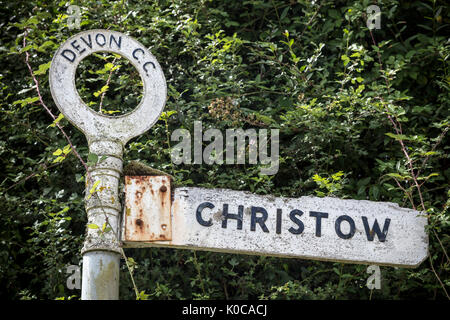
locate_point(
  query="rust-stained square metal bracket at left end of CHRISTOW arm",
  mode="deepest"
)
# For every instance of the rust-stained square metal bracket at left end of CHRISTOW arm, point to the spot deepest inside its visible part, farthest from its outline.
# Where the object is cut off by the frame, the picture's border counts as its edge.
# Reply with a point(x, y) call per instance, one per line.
point(147, 208)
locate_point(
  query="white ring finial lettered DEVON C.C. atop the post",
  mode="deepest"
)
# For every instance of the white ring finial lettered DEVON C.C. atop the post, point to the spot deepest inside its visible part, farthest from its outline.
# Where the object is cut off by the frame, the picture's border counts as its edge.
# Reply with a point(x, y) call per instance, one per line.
point(94, 125)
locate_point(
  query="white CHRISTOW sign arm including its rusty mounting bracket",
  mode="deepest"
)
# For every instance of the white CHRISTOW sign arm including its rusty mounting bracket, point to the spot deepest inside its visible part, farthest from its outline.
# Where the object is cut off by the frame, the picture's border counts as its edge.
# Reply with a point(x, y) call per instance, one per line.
point(328, 229)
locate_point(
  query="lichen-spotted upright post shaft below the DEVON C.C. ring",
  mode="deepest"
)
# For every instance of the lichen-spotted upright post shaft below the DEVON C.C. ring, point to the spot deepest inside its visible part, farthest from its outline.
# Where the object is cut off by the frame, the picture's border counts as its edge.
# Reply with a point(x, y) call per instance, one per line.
point(101, 250)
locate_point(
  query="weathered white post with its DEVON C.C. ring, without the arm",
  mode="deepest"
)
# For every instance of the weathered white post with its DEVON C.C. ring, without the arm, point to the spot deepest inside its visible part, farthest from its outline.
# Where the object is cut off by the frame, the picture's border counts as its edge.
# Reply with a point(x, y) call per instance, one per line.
point(106, 137)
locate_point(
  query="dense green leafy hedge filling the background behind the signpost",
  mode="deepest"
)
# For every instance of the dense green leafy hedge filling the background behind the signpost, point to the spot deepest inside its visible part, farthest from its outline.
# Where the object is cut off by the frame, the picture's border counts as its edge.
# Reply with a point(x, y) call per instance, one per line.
point(362, 114)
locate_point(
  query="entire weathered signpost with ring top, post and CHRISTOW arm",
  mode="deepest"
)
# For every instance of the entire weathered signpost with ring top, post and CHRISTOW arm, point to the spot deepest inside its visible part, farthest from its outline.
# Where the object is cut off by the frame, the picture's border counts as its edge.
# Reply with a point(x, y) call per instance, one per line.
point(206, 219)
